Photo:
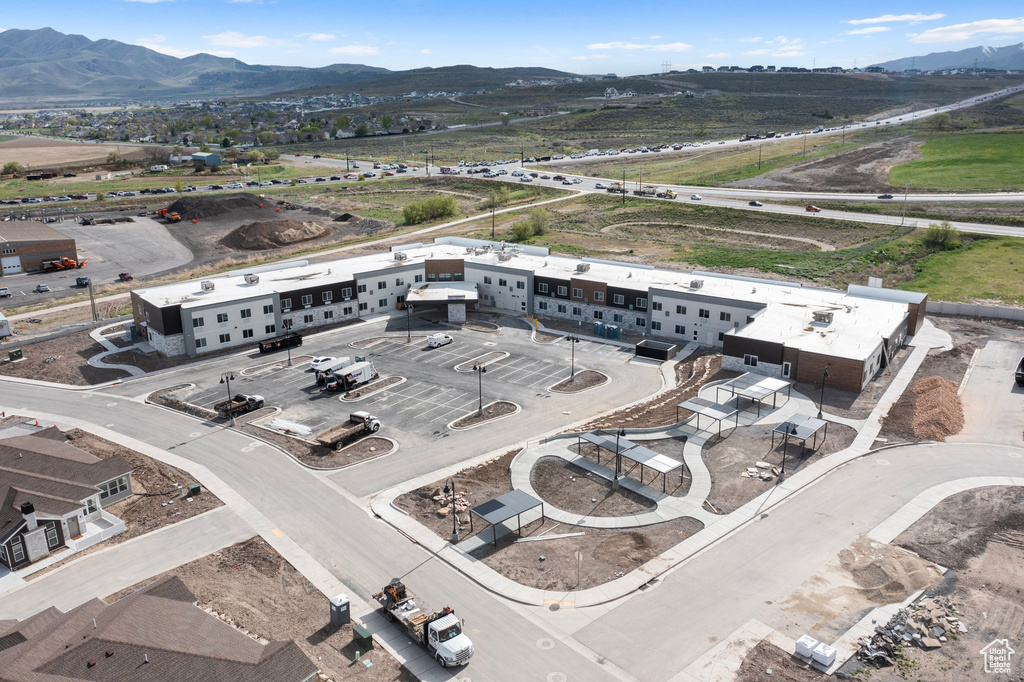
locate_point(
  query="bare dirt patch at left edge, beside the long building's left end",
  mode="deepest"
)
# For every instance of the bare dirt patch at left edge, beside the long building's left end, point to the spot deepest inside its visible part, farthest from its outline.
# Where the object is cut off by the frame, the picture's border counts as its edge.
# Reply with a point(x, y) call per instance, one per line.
point(64, 361)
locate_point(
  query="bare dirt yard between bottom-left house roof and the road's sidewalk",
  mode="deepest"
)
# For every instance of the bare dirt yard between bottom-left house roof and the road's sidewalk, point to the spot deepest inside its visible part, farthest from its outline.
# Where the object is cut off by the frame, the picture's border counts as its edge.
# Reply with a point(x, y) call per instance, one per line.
point(253, 588)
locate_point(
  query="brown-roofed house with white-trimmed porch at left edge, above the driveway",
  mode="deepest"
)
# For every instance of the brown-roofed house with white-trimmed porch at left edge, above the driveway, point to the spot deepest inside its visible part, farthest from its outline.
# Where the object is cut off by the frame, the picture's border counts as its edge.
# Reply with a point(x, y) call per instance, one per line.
point(54, 496)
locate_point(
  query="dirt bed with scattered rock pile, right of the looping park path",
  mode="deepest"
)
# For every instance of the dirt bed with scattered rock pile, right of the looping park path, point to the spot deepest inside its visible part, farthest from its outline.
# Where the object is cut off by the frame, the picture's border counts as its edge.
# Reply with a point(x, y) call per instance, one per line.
point(730, 457)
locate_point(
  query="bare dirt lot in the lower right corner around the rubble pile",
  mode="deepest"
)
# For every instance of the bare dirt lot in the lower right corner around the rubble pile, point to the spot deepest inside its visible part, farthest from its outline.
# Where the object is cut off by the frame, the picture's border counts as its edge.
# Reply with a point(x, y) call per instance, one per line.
point(978, 534)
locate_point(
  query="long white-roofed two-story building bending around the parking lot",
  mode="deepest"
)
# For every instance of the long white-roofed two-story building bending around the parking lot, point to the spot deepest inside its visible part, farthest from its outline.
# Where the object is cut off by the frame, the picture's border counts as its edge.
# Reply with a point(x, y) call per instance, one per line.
point(775, 328)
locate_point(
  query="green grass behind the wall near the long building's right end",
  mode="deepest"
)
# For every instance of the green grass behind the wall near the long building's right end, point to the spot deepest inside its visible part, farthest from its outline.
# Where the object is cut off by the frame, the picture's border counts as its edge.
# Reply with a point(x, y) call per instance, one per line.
point(987, 270)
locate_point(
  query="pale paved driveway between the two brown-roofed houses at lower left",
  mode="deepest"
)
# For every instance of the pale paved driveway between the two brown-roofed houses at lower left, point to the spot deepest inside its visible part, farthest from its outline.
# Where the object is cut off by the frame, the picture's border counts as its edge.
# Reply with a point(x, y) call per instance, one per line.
point(113, 569)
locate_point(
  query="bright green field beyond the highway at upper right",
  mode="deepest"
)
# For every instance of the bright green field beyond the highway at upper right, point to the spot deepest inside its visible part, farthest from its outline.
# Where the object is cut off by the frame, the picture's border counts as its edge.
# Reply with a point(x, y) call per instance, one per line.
point(966, 162)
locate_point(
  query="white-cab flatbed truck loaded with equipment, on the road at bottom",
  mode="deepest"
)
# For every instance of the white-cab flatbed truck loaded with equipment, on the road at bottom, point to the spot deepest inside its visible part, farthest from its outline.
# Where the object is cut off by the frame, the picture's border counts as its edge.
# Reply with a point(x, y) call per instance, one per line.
point(441, 632)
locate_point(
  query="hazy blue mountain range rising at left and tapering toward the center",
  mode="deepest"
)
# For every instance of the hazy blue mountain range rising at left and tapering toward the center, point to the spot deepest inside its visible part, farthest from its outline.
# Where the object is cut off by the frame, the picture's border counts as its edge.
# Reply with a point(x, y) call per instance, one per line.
point(47, 65)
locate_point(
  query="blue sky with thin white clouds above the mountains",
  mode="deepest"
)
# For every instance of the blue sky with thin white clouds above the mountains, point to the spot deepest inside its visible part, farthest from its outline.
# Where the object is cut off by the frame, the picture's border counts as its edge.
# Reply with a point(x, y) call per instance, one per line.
point(583, 37)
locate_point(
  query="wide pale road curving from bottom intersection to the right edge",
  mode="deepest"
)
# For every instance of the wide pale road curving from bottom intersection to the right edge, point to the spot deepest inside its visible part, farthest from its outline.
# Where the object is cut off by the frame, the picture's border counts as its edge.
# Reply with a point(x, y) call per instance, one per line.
point(753, 572)
